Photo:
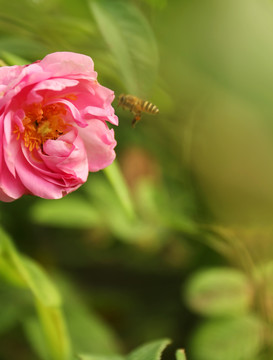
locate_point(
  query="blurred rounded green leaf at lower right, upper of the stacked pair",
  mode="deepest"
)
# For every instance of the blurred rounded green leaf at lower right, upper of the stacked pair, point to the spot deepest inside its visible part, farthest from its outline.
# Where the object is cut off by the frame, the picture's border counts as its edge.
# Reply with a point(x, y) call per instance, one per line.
point(219, 291)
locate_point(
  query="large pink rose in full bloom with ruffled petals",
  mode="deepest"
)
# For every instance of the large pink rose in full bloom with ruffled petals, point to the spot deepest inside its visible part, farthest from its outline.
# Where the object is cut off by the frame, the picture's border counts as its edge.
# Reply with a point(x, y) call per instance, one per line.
point(53, 127)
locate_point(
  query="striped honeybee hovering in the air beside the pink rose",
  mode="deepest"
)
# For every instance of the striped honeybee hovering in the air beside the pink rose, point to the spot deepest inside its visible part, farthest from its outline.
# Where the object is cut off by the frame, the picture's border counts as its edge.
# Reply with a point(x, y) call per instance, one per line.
point(136, 106)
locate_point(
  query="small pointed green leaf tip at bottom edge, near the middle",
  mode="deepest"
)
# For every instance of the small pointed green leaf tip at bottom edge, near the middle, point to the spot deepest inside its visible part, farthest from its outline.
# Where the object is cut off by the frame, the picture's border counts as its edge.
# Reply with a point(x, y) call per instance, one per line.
point(150, 351)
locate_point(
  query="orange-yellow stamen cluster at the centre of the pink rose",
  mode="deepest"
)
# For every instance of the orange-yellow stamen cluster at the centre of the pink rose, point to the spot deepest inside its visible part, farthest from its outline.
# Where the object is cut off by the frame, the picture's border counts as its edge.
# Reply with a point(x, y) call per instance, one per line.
point(41, 124)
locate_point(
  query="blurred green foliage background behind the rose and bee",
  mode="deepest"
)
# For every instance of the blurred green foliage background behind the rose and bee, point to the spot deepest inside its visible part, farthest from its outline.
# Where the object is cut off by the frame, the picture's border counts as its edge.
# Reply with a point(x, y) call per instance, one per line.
point(183, 248)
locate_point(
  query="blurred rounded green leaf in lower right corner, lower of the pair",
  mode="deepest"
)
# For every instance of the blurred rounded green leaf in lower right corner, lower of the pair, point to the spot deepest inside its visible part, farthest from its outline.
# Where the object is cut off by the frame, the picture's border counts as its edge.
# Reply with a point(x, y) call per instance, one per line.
point(237, 339)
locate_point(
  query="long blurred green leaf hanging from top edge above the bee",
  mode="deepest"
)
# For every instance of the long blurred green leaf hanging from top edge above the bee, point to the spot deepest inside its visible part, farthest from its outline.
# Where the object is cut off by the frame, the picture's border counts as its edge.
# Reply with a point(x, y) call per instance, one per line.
point(131, 41)
